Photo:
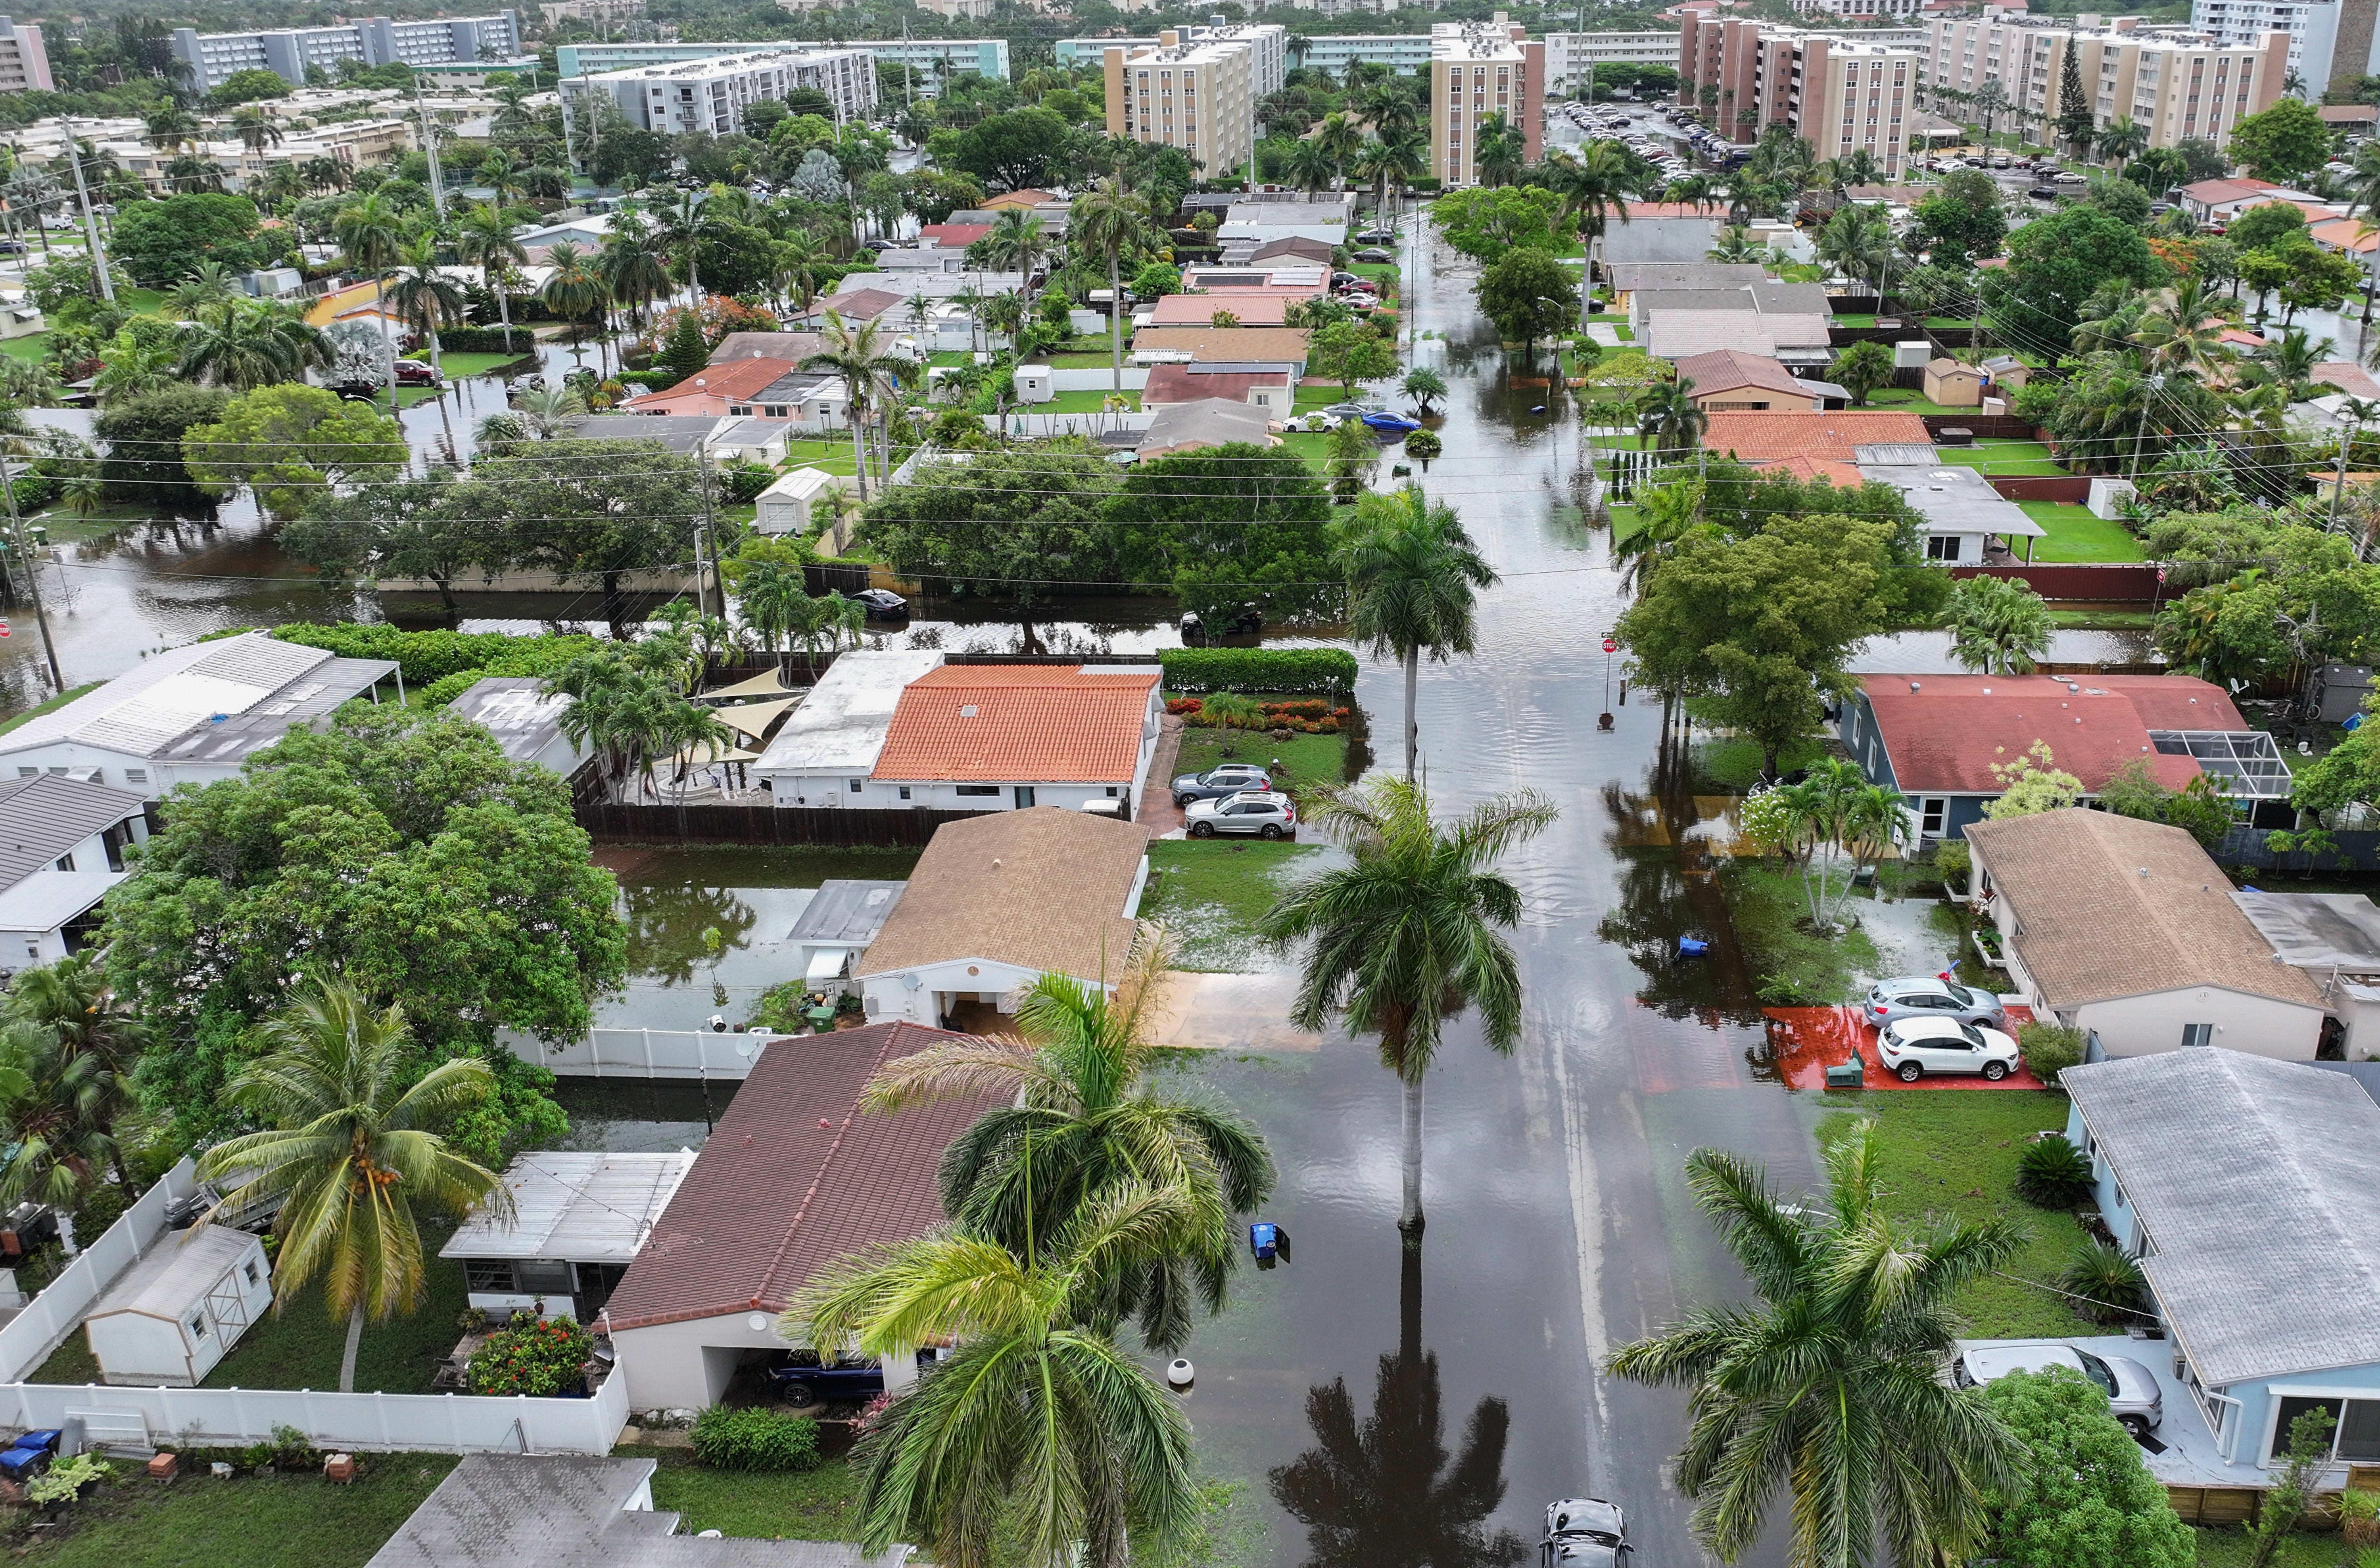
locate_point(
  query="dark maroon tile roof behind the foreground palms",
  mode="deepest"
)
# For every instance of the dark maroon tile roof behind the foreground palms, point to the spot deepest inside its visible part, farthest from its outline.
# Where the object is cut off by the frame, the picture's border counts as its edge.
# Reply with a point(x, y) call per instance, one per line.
point(775, 1196)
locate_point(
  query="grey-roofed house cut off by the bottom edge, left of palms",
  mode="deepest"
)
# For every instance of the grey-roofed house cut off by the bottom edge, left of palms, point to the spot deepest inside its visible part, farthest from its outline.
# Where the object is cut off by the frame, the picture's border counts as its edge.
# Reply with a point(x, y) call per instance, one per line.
point(587, 1514)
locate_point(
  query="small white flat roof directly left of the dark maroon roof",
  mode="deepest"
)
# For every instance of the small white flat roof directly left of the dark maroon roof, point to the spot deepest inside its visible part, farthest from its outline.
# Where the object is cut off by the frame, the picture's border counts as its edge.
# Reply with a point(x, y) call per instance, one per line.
point(575, 1208)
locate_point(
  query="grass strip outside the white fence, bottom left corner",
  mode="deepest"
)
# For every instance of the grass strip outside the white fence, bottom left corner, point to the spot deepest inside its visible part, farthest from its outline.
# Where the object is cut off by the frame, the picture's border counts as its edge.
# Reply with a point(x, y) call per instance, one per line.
point(256, 1522)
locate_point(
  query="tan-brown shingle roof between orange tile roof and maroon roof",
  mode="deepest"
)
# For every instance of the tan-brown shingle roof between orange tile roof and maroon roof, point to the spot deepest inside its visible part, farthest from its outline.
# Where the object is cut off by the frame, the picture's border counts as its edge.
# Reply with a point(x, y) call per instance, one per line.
point(1039, 889)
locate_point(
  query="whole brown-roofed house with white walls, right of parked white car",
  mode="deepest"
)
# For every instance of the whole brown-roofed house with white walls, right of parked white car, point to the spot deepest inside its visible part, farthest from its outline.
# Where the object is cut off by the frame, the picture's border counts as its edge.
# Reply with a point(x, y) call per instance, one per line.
point(2127, 929)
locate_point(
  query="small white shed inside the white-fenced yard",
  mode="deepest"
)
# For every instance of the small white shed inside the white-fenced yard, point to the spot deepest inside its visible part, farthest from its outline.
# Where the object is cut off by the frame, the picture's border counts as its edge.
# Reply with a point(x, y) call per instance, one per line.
point(180, 1310)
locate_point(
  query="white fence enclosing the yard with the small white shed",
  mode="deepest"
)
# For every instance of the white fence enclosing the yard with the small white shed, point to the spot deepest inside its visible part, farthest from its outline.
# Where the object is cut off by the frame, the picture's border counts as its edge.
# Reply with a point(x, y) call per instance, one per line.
point(139, 1417)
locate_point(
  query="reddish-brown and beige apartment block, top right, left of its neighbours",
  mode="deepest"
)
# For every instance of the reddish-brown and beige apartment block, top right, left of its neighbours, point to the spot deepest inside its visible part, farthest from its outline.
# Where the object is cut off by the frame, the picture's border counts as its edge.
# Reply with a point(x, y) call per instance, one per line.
point(1843, 92)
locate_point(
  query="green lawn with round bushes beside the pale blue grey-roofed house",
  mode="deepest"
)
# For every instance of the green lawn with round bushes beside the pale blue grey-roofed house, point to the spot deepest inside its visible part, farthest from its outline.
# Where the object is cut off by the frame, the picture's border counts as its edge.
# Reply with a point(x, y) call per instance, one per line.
point(1955, 1153)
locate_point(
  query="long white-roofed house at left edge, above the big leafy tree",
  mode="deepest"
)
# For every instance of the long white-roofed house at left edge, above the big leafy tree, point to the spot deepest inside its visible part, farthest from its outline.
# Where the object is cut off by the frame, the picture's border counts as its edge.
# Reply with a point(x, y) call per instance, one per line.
point(189, 715)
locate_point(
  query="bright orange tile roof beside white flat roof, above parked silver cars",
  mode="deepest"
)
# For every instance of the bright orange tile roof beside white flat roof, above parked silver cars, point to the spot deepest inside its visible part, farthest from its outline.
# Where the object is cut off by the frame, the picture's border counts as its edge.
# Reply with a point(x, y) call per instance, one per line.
point(1017, 725)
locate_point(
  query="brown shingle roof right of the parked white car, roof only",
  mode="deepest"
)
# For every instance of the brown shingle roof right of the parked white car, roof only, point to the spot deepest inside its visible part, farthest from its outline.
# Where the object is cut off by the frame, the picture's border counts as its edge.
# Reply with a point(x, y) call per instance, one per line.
point(2093, 929)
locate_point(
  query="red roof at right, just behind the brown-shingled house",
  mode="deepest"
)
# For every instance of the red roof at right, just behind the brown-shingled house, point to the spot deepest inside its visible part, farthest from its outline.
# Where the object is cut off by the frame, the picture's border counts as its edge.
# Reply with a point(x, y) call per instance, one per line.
point(1948, 734)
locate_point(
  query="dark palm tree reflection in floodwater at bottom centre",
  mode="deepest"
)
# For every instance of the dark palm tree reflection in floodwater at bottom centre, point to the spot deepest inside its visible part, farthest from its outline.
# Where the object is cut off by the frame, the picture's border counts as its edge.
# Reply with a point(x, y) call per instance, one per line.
point(1384, 1488)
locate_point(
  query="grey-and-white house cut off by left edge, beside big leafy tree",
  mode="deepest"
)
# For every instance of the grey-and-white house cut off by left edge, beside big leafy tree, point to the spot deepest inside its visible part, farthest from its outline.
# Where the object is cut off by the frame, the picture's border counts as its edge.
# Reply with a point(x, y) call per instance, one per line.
point(61, 851)
